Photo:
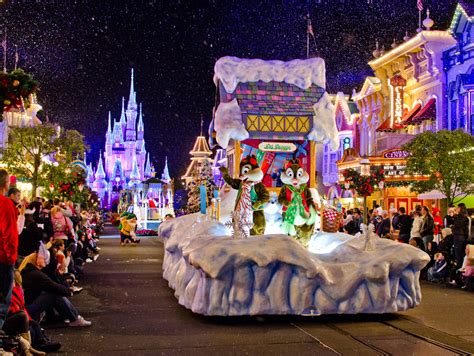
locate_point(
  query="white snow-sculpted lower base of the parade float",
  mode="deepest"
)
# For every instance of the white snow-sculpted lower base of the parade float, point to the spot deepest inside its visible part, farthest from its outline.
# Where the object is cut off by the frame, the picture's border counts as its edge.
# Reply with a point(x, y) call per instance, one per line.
point(214, 274)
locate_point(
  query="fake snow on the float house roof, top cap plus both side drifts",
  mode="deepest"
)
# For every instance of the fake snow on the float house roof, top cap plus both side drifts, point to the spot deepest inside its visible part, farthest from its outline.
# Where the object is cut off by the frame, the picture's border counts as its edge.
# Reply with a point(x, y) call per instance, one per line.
point(231, 71)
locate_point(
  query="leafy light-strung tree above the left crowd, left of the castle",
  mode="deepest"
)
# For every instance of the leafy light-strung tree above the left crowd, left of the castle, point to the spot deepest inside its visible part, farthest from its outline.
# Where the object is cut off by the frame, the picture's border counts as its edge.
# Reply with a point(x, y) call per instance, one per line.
point(42, 155)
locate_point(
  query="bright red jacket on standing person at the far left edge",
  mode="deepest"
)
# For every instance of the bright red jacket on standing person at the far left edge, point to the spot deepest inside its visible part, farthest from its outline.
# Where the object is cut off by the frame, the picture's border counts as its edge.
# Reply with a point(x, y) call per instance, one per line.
point(8, 232)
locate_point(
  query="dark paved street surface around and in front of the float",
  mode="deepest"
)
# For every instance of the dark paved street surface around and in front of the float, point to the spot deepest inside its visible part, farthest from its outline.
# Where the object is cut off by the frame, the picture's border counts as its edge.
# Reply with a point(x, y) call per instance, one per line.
point(132, 308)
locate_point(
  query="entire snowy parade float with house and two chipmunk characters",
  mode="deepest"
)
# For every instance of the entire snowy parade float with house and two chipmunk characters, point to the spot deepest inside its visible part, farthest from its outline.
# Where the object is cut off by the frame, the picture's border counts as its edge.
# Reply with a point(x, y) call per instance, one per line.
point(219, 262)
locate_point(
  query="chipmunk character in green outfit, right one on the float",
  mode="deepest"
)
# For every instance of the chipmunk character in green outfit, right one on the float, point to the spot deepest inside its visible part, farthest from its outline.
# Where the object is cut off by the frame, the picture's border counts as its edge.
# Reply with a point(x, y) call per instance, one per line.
point(299, 212)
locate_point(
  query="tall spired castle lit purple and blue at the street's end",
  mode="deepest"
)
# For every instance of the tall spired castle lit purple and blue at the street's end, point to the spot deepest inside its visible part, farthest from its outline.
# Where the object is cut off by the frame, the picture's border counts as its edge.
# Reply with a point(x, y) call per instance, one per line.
point(125, 162)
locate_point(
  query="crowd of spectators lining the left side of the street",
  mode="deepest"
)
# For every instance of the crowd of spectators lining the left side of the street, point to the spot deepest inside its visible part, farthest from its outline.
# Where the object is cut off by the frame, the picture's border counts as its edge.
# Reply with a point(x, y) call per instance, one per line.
point(44, 247)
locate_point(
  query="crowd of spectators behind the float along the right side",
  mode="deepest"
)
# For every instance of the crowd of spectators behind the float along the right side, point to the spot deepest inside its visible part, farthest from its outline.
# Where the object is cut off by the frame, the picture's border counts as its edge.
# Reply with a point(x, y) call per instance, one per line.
point(448, 240)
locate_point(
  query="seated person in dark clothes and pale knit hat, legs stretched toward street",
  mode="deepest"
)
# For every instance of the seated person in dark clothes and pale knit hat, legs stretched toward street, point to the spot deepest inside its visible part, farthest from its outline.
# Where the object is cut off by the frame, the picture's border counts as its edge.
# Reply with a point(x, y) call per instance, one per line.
point(42, 293)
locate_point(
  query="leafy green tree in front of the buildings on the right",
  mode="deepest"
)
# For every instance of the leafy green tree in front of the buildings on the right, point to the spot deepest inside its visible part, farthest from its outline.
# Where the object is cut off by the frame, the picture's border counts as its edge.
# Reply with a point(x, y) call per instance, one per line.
point(447, 159)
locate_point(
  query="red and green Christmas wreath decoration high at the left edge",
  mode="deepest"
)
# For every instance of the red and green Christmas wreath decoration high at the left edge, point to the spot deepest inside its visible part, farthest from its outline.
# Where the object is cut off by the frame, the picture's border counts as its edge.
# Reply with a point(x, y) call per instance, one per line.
point(15, 87)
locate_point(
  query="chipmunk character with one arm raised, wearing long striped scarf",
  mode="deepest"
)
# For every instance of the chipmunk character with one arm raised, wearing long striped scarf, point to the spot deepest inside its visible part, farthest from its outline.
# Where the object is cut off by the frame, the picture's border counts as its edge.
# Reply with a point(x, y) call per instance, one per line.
point(252, 194)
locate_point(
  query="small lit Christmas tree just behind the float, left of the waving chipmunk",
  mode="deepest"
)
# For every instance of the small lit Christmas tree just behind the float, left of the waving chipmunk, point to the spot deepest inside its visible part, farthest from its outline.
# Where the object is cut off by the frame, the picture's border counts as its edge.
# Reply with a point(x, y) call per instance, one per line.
point(203, 176)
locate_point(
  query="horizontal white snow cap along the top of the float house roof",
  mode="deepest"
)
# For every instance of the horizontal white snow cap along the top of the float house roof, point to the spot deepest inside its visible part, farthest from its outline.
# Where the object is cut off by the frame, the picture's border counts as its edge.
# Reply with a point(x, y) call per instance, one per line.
point(300, 72)
